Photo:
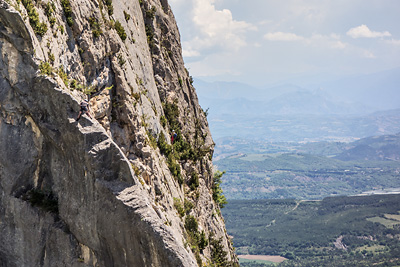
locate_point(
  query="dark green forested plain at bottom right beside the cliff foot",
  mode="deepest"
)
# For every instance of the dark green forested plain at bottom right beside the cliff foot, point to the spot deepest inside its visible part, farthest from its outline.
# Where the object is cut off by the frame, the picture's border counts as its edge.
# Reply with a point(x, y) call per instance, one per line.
point(351, 231)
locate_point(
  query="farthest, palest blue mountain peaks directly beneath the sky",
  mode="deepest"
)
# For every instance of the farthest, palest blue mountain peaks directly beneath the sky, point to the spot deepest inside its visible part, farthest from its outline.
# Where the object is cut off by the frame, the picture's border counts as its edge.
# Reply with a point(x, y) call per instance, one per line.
point(352, 95)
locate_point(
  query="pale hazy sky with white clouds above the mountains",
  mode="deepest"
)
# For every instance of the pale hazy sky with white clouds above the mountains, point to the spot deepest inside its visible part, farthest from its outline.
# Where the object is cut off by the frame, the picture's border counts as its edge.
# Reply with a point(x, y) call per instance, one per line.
point(263, 41)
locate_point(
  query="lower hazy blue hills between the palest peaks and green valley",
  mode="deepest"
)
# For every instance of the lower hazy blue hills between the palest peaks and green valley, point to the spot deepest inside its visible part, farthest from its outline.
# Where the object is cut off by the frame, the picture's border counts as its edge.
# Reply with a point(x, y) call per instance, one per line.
point(304, 128)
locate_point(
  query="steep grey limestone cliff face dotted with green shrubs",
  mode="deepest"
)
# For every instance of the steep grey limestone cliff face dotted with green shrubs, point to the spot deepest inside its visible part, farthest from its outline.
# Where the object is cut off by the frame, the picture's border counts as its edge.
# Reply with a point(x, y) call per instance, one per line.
point(113, 190)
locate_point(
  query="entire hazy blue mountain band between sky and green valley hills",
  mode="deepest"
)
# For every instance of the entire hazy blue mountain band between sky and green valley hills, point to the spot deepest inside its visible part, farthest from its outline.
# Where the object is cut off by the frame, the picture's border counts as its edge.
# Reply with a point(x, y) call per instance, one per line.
point(341, 110)
